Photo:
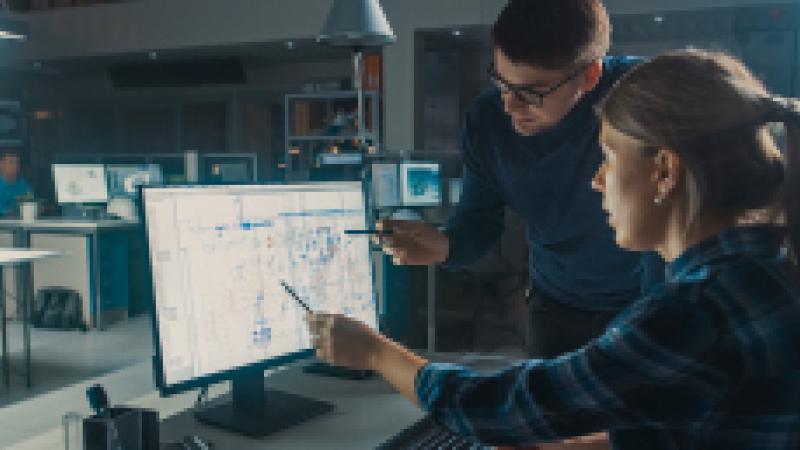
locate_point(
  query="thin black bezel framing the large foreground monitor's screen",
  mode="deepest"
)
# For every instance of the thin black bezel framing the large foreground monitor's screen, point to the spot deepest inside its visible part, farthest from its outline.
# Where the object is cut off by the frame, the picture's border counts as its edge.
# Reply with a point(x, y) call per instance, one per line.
point(167, 390)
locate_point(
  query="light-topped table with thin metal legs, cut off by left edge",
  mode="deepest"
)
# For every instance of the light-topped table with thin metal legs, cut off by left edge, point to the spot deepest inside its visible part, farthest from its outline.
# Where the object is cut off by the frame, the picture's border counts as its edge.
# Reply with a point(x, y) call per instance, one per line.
point(22, 258)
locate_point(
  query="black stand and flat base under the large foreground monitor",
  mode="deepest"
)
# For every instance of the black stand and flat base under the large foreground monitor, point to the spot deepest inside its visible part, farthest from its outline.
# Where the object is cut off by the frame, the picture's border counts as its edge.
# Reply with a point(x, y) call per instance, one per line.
point(258, 412)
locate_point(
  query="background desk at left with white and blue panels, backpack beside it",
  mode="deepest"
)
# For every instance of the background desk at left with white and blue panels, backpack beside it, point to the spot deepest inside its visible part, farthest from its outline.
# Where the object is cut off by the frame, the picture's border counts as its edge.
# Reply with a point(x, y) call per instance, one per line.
point(83, 270)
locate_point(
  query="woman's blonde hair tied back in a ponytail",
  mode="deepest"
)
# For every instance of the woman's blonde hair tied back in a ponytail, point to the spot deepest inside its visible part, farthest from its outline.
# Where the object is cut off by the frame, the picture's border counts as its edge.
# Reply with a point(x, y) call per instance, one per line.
point(711, 110)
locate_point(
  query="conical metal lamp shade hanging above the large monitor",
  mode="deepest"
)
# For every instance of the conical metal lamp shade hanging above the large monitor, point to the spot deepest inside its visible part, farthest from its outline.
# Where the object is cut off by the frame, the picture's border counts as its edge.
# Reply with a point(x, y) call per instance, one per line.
point(357, 23)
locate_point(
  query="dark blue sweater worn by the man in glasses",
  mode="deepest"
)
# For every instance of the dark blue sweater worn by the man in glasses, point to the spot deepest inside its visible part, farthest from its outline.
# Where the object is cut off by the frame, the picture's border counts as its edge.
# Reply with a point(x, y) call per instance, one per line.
point(546, 179)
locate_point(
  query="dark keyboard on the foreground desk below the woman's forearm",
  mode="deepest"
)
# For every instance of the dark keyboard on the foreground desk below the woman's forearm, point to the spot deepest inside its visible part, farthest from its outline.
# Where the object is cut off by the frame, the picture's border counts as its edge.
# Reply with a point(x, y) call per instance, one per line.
point(426, 434)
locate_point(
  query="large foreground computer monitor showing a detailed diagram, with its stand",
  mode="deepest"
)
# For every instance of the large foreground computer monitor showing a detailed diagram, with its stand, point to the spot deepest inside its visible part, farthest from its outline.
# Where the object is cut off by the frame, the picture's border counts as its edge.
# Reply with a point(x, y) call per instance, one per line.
point(218, 255)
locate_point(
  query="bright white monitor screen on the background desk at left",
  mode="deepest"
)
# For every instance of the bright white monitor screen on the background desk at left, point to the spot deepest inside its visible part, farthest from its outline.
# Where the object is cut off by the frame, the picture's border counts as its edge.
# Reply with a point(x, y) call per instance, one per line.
point(80, 183)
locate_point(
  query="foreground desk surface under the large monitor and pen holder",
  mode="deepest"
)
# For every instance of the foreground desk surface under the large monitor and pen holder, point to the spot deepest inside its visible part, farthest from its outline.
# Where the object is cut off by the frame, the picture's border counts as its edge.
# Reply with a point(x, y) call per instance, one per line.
point(366, 413)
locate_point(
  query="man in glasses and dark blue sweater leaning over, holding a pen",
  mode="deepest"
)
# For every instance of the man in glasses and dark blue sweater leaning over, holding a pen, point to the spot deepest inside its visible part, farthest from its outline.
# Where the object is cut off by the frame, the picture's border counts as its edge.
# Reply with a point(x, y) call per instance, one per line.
point(531, 143)
